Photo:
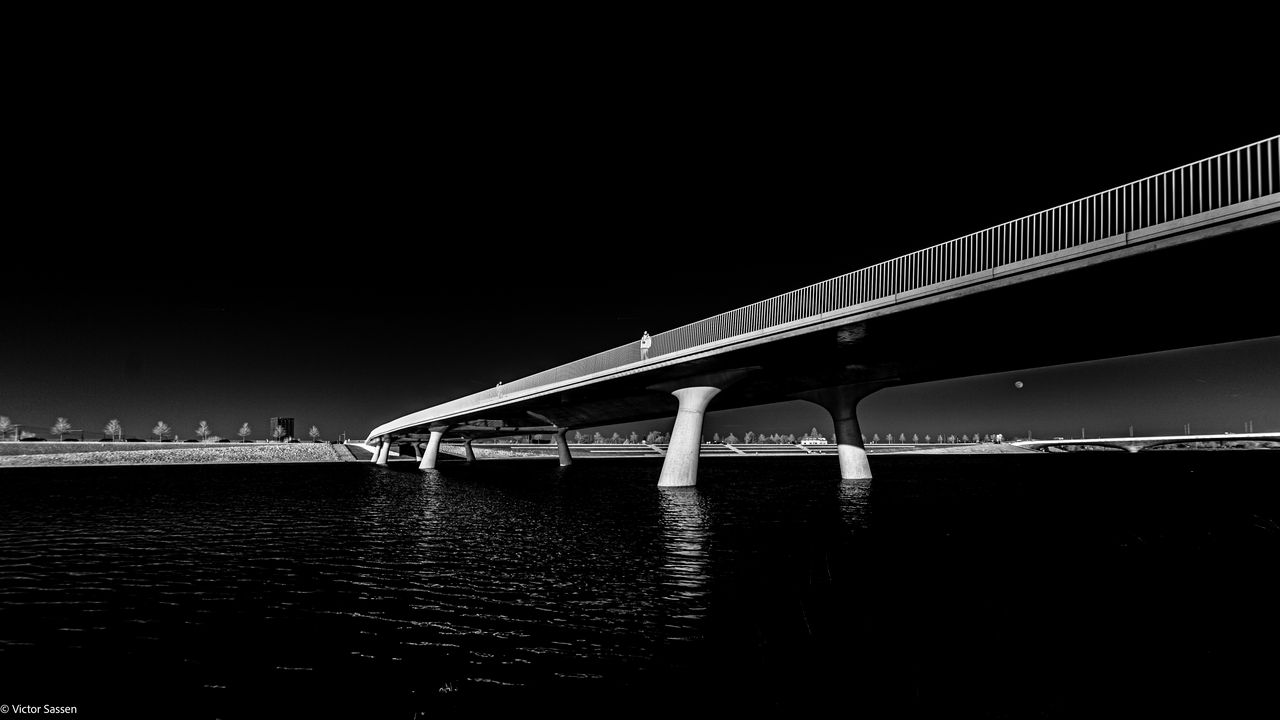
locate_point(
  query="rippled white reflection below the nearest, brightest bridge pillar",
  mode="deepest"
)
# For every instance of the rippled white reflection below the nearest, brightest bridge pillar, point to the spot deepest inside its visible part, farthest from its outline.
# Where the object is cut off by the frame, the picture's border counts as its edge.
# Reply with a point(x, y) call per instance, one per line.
point(685, 540)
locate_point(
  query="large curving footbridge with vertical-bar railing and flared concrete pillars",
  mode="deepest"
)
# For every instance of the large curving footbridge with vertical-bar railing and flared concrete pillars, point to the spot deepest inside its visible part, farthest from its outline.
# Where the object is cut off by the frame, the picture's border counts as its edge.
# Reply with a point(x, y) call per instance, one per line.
point(1155, 265)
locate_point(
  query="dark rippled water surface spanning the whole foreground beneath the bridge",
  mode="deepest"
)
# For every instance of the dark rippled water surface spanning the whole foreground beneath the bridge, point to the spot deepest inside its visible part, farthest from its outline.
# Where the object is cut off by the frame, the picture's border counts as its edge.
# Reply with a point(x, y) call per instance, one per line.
point(1043, 586)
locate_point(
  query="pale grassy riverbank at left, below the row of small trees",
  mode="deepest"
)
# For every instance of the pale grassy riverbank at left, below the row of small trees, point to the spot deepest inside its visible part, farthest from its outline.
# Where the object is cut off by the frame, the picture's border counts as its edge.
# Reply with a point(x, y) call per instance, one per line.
point(40, 455)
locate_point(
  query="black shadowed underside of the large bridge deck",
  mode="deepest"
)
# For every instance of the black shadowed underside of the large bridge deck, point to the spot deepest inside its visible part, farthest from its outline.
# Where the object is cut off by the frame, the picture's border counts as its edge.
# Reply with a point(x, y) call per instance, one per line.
point(1163, 297)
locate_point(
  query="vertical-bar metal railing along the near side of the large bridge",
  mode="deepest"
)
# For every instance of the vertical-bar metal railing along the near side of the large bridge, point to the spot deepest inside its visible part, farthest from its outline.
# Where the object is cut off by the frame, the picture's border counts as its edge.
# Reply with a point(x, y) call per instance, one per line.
point(1229, 179)
